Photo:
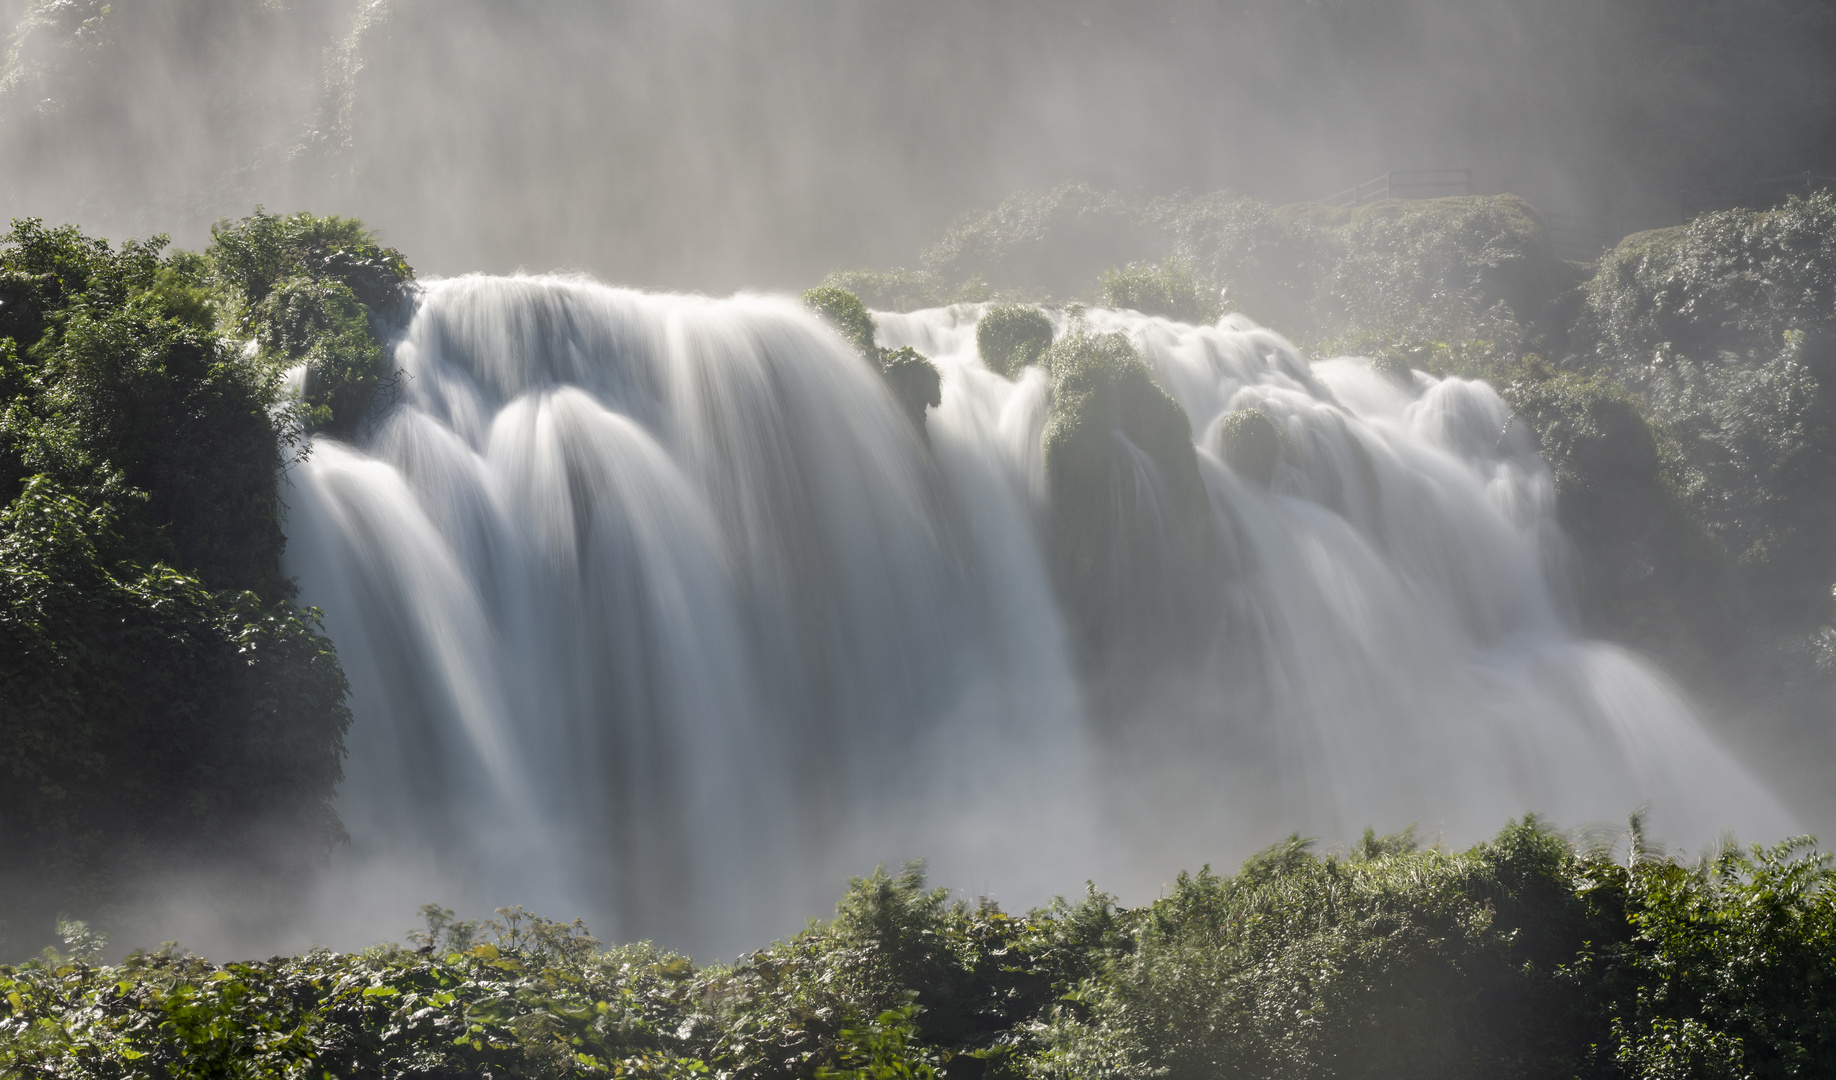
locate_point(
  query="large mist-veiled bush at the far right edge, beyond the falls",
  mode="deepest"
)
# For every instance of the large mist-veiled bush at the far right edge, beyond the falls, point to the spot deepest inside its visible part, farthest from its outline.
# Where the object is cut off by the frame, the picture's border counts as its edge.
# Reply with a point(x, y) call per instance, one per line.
point(1727, 332)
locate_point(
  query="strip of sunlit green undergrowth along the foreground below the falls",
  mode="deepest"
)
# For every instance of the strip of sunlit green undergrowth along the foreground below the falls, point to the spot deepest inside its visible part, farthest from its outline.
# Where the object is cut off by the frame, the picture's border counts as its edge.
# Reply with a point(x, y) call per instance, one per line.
point(1519, 958)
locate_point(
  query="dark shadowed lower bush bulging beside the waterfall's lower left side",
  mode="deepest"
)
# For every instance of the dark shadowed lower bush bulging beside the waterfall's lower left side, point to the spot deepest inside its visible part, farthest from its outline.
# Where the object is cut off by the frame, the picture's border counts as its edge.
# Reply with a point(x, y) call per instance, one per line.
point(148, 717)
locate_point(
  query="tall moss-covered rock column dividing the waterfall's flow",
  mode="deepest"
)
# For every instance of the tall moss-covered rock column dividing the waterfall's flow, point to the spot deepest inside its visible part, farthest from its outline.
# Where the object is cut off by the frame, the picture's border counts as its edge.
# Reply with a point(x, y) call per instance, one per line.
point(1130, 515)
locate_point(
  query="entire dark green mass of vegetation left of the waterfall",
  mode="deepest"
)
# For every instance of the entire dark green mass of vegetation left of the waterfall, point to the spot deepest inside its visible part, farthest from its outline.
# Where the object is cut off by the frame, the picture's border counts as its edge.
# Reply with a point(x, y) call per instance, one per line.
point(162, 701)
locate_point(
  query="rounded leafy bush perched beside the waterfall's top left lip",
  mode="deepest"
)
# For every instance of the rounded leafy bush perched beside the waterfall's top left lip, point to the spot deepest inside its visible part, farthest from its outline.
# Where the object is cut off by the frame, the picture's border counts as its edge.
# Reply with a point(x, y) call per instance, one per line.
point(315, 291)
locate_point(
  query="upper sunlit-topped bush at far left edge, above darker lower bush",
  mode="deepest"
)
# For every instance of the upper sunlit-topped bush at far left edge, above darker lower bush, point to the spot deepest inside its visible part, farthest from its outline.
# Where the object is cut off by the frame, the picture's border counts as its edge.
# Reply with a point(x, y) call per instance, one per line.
point(118, 396)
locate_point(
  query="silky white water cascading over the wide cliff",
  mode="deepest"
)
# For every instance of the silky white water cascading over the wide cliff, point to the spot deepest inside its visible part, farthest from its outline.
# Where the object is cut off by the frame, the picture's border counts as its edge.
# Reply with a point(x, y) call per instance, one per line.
point(660, 613)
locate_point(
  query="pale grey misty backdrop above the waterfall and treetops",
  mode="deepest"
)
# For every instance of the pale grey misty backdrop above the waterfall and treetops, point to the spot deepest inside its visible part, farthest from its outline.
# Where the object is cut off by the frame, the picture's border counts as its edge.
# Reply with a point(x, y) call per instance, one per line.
point(717, 144)
